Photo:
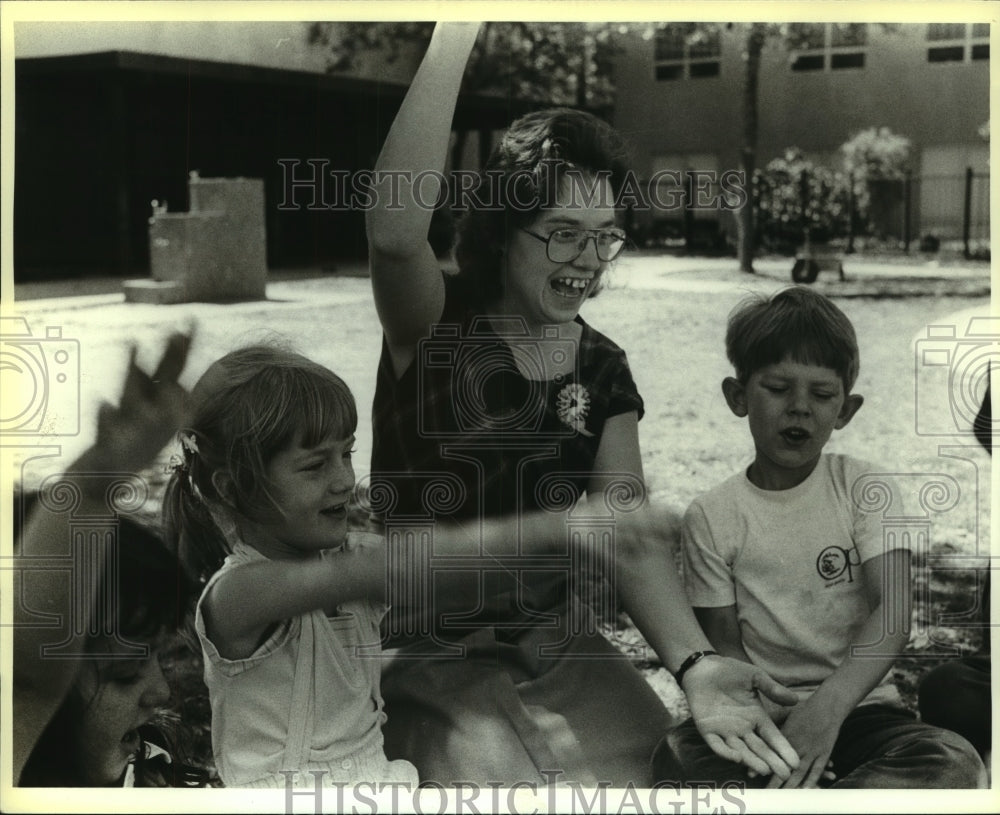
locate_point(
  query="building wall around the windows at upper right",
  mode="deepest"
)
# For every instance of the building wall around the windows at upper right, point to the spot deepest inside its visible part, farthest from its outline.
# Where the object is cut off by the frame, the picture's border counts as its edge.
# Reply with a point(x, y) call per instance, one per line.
point(696, 123)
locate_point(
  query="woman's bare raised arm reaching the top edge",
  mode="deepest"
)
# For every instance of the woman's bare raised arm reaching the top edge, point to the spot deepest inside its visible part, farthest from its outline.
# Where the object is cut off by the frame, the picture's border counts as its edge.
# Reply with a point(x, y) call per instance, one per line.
point(406, 278)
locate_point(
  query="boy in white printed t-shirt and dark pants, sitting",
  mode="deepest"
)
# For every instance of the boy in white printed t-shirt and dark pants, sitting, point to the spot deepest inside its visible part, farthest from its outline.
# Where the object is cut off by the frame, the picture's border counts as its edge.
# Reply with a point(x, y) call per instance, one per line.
point(786, 571)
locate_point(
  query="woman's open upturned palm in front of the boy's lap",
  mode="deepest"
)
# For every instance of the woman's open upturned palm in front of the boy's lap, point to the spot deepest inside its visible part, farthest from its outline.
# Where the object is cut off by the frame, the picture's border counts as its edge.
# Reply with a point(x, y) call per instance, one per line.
point(723, 696)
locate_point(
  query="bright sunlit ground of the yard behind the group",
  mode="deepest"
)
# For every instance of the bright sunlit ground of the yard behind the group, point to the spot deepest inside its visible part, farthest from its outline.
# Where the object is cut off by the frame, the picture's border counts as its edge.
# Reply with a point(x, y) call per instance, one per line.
point(669, 314)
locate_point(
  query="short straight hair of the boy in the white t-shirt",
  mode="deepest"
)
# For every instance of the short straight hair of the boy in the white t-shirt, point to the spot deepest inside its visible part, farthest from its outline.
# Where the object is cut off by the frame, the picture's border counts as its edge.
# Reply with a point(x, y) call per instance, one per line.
point(797, 323)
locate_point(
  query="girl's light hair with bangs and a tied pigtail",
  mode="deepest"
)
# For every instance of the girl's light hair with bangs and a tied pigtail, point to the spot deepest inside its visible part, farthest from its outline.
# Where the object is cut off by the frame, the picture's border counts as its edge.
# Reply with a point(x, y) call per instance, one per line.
point(248, 406)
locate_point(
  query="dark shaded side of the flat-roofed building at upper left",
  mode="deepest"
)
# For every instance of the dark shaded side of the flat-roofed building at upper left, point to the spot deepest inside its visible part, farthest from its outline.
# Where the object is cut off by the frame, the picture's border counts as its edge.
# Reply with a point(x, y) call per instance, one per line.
point(99, 136)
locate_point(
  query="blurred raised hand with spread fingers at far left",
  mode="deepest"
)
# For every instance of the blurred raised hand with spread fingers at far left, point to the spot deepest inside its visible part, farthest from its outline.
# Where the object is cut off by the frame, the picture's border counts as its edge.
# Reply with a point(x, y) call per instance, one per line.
point(152, 409)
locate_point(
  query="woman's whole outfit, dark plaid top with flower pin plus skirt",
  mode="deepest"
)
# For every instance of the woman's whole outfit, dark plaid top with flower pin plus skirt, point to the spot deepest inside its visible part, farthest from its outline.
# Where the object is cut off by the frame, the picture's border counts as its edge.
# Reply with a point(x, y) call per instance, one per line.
point(515, 686)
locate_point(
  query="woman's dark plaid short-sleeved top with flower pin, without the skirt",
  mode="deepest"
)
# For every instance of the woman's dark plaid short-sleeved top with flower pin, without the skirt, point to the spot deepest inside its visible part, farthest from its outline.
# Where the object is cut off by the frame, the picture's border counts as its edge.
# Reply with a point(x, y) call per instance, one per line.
point(463, 411)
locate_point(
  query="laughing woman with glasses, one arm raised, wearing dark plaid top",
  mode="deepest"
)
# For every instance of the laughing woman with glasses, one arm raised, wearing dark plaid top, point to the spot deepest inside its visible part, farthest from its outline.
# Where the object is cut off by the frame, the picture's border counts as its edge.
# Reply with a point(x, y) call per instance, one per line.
point(494, 398)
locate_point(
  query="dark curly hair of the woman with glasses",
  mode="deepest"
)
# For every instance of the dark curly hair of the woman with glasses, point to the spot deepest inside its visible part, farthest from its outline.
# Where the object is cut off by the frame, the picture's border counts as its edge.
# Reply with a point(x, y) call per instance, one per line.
point(536, 153)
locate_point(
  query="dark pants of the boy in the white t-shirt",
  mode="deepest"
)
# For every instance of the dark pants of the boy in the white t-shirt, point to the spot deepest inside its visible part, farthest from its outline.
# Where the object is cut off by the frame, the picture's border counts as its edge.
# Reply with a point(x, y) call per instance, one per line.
point(879, 747)
